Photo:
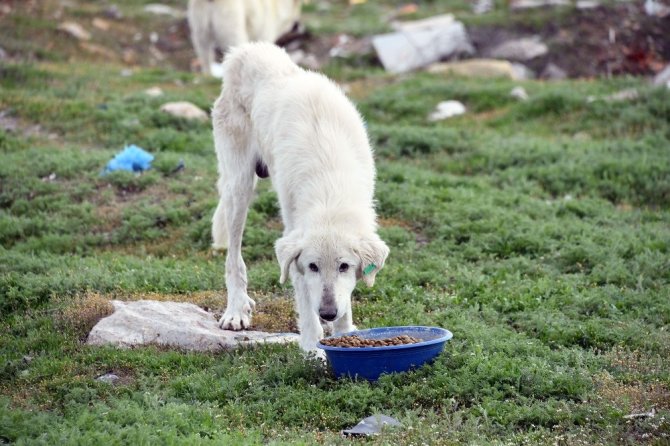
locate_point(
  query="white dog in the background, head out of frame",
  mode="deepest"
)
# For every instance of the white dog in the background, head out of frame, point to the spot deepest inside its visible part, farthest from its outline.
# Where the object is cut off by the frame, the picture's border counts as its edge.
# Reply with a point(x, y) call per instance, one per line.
point(225, 23)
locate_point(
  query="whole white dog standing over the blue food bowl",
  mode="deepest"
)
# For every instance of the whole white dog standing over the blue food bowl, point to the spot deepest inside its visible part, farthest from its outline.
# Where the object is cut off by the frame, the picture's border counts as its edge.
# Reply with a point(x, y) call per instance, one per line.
point(275, 118)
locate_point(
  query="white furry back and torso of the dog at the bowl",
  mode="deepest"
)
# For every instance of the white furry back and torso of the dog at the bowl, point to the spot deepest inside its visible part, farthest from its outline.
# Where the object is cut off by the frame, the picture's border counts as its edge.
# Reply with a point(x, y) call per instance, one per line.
point(300, 124)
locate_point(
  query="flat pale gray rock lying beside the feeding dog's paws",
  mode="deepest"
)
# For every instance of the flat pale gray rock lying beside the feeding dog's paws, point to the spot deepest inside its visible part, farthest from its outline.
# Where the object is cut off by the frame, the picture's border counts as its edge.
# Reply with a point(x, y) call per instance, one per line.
point(173, 324)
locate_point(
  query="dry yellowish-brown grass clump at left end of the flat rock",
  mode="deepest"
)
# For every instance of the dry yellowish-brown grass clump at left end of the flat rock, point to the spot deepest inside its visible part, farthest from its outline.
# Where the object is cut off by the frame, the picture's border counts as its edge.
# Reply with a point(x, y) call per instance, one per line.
point(81, 315)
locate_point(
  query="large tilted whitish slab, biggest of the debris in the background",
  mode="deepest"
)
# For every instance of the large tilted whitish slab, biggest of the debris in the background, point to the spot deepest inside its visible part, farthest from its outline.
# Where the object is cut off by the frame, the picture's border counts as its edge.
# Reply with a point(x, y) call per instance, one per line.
point(420, 43)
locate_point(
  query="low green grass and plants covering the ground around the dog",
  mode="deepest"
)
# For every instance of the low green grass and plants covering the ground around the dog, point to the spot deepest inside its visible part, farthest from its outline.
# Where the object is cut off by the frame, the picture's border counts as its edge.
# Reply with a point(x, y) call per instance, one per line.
point(537, 231)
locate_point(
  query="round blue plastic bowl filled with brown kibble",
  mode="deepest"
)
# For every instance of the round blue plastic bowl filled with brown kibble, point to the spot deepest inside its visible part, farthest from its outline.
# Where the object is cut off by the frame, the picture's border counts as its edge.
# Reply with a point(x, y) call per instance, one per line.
point(371, 362)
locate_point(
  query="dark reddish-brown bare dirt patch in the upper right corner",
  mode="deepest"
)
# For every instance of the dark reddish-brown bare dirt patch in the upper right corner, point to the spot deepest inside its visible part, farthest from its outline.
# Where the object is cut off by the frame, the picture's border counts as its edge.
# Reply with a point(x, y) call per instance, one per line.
point(607, 40)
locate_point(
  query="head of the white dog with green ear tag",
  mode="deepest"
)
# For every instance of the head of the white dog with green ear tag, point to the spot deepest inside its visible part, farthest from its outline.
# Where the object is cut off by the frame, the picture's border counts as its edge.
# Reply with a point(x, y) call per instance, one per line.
point(327, 265)
